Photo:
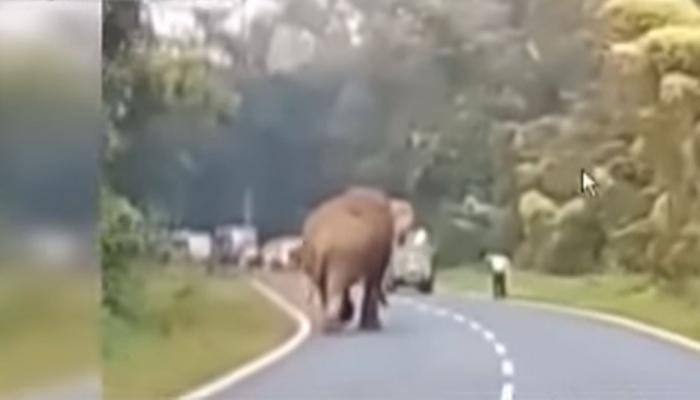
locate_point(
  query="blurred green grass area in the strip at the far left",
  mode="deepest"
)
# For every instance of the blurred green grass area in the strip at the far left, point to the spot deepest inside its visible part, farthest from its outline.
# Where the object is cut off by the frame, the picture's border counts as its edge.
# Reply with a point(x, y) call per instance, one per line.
point(48, 327)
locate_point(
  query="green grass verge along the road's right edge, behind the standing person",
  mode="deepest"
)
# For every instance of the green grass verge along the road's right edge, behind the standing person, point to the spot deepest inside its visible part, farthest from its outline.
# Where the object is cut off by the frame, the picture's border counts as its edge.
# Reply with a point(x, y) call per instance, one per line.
point(625, 295)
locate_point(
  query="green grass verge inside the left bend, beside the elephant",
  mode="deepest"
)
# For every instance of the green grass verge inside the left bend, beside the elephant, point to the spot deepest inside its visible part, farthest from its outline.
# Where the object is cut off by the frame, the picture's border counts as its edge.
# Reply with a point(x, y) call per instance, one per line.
point(213, 327)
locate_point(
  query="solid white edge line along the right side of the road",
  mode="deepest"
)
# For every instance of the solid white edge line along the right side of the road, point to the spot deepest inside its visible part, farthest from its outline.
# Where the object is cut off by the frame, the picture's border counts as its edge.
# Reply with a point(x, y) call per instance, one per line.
point(637, 326)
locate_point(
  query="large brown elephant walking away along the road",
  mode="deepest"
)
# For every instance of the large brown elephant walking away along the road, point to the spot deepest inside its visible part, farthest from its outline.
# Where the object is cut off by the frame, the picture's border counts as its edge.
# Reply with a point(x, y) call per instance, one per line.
point(345, 240)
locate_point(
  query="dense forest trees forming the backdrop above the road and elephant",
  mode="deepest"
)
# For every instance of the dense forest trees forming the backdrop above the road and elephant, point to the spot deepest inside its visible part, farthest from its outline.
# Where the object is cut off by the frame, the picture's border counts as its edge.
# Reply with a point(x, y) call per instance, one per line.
point(443, 104)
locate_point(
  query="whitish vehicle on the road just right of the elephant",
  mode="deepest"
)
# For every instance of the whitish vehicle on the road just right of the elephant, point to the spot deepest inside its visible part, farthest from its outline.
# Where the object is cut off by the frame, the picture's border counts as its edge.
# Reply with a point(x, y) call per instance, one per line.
point(412, 263)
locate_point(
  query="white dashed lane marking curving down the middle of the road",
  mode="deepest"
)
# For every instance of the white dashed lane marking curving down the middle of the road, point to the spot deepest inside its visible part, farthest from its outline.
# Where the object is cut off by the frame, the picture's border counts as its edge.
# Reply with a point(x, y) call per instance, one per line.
point(507, 365)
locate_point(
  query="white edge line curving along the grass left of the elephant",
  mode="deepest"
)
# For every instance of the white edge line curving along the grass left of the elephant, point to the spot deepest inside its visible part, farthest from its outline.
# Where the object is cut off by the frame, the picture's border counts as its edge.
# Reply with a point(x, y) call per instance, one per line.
point(274, 355)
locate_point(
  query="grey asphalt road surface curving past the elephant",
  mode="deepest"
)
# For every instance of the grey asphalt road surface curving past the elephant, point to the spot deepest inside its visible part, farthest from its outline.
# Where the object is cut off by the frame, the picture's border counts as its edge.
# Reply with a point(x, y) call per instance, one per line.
point(437, 347)
